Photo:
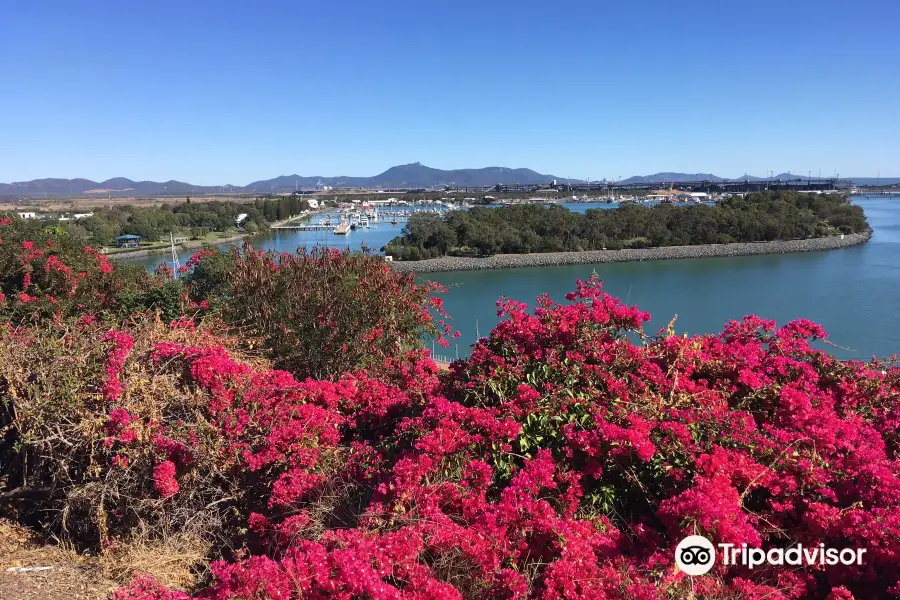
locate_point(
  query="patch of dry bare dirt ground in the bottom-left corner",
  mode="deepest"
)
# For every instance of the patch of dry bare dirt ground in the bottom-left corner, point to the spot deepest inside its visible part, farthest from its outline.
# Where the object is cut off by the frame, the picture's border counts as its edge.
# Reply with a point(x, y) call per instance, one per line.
point(71, 577)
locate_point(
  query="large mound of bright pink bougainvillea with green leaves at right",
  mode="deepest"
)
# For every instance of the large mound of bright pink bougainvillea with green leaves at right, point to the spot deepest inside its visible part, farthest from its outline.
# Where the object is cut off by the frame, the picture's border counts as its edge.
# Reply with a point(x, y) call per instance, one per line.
point(749, 436)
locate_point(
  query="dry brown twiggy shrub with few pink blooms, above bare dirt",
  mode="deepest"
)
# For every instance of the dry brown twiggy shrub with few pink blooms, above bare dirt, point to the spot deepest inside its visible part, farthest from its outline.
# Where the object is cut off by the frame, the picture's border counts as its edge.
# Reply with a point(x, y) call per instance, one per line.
point(106, 441)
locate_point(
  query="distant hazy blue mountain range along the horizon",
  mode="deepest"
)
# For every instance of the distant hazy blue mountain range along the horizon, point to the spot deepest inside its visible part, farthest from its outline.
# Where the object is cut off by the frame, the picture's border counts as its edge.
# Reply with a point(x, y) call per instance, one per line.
point(414, 175)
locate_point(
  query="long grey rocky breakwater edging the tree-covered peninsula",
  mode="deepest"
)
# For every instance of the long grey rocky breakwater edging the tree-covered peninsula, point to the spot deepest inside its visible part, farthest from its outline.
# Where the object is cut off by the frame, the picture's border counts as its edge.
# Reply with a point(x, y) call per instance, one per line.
point(555, 259)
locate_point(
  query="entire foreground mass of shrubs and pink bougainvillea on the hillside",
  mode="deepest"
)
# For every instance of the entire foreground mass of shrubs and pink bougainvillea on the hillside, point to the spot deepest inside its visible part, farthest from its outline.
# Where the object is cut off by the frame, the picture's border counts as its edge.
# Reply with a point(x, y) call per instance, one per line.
point(275, 446)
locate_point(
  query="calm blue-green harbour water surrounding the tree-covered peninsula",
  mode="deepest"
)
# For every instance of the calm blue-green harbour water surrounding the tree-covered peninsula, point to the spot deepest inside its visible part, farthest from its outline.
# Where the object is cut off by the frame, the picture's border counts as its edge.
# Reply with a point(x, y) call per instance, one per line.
point(854, 293)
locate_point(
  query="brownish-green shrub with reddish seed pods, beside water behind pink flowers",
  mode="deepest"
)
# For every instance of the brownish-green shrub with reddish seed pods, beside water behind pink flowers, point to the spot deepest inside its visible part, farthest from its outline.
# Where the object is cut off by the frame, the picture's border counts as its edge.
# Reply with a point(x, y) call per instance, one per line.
point(321, 312)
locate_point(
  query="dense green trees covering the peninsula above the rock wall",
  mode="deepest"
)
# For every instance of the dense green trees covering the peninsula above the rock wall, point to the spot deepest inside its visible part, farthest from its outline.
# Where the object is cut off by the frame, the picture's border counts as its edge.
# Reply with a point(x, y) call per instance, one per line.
point(520, 229)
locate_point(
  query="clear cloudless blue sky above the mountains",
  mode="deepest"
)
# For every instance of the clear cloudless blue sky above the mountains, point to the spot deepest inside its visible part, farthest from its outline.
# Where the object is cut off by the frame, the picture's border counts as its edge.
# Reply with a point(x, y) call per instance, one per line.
point(231, 92)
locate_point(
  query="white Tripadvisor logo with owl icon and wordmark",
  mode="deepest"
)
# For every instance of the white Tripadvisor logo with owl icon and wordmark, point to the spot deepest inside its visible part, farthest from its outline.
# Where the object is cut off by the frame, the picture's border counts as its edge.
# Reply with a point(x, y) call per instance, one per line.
point(696, 555)
